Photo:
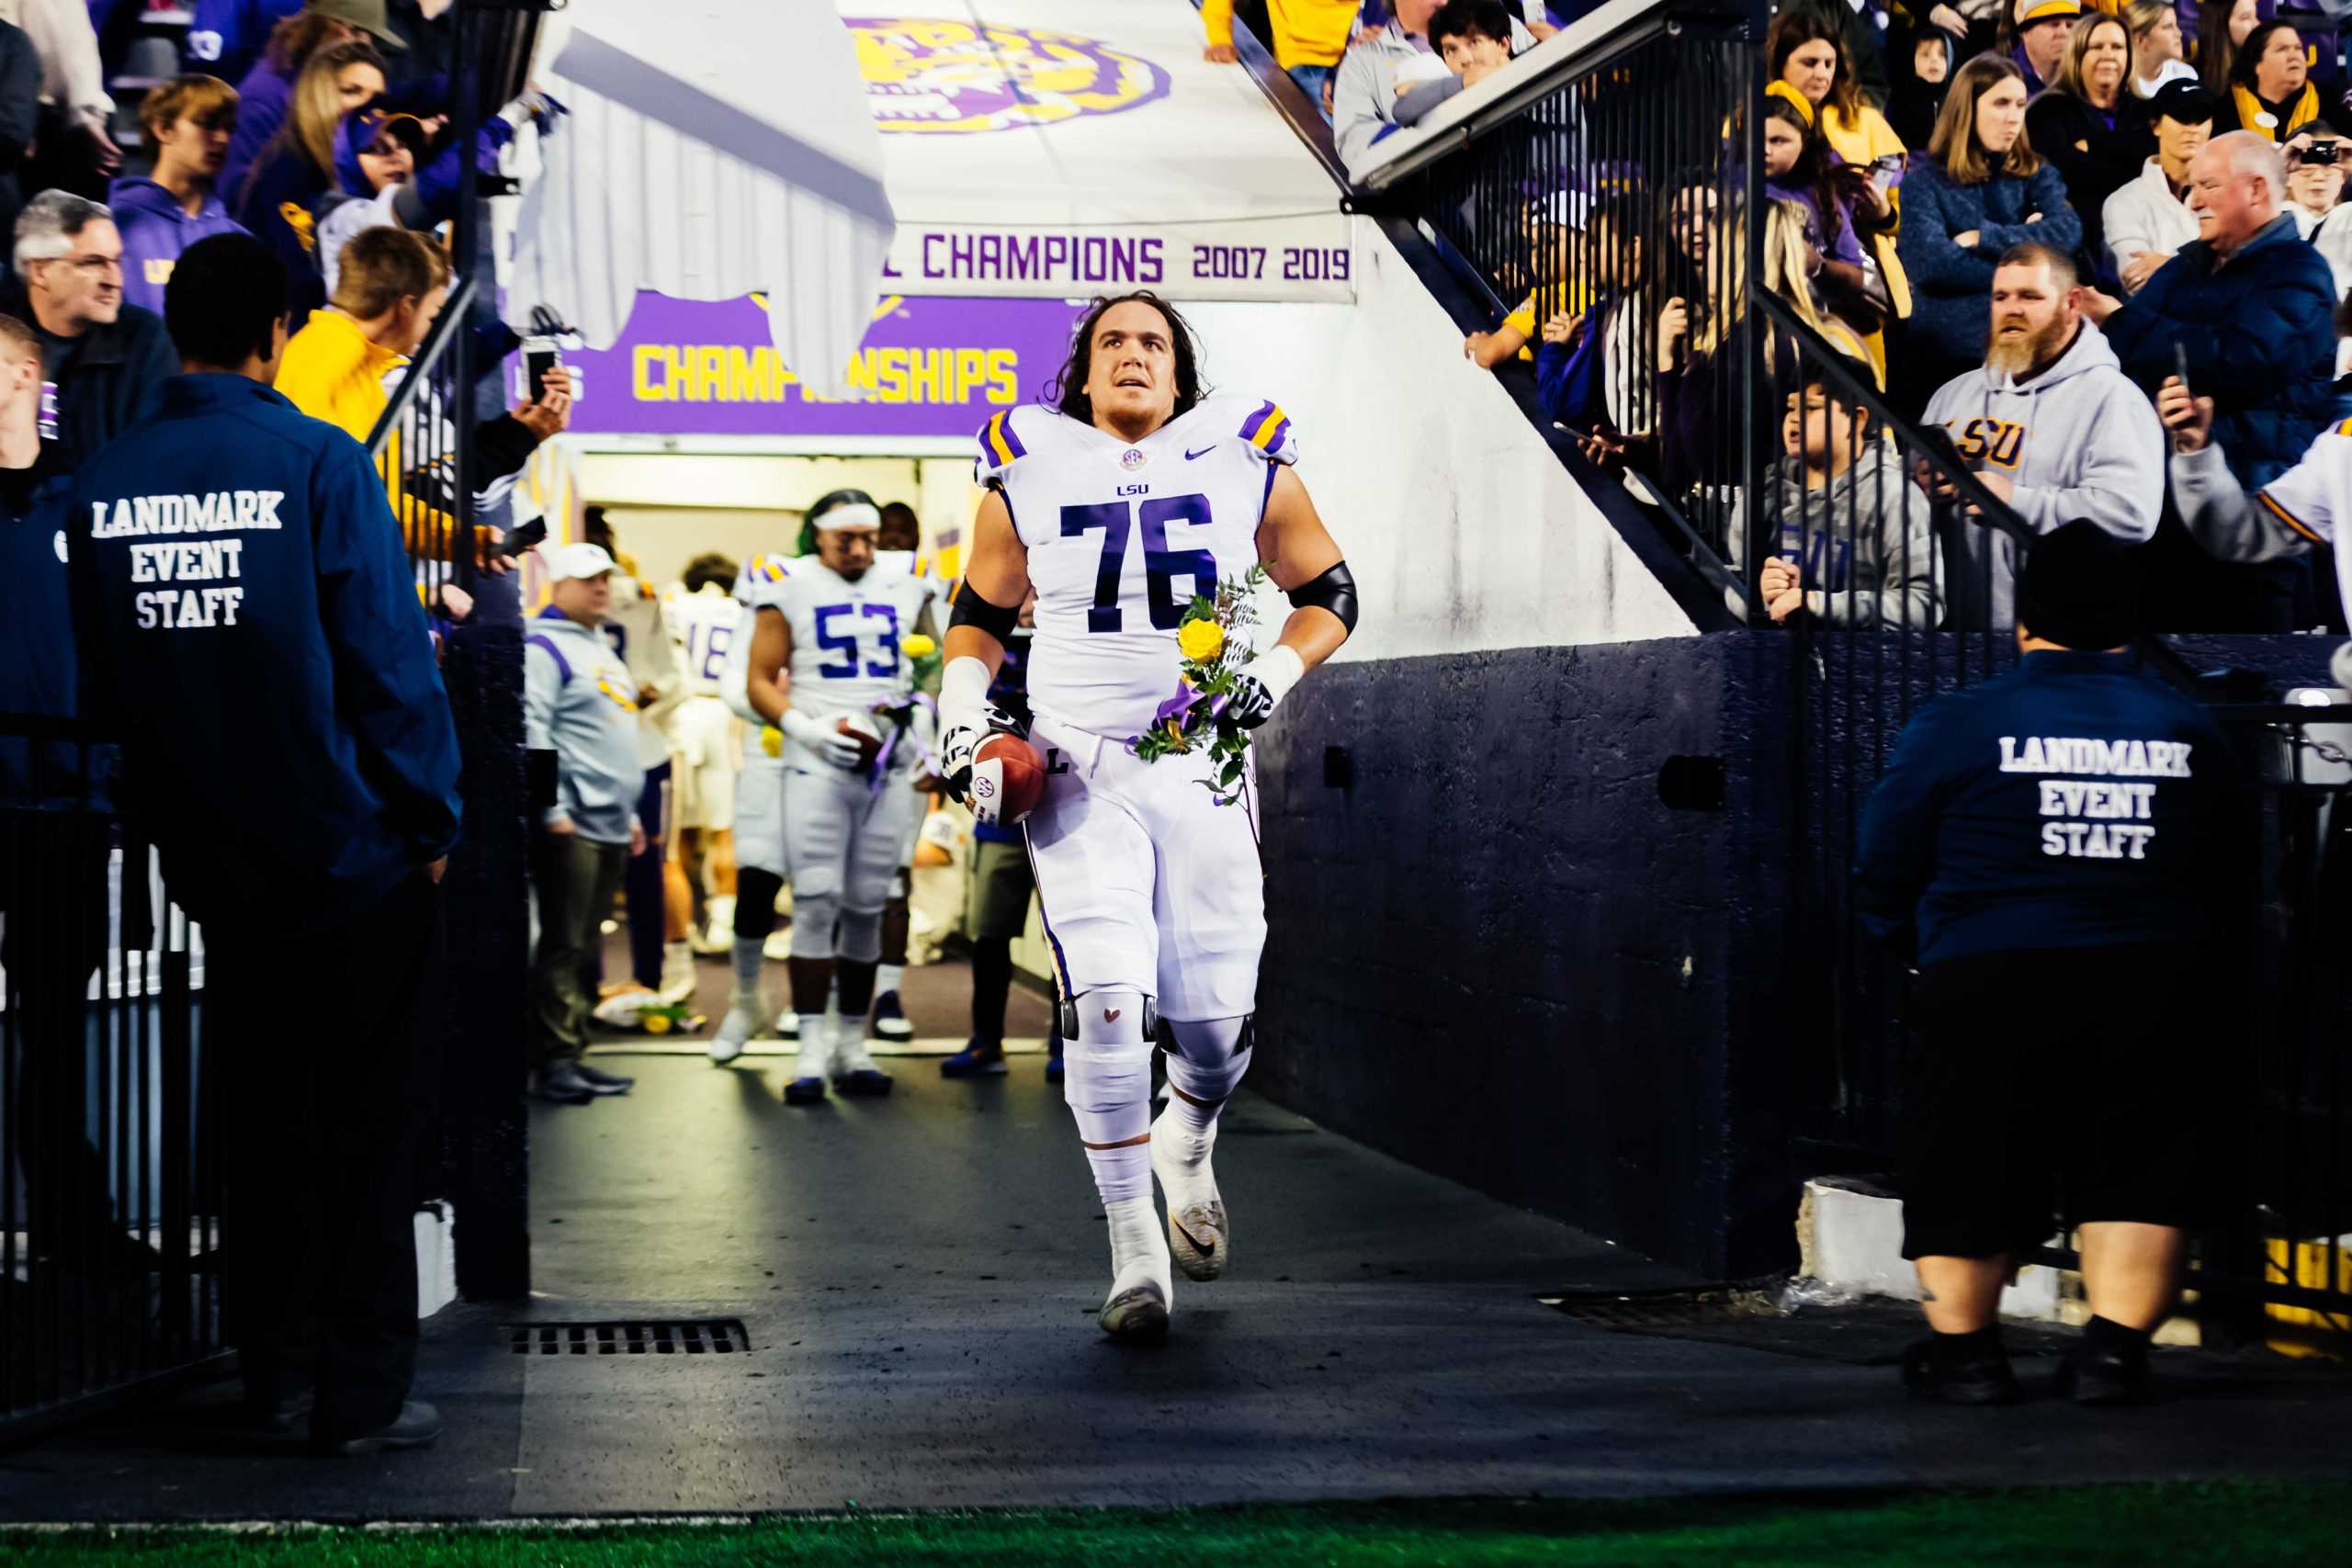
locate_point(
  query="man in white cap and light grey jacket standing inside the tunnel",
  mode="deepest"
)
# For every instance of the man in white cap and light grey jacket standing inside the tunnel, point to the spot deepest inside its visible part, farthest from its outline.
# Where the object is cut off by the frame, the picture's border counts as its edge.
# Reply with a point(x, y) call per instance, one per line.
point(580, 706)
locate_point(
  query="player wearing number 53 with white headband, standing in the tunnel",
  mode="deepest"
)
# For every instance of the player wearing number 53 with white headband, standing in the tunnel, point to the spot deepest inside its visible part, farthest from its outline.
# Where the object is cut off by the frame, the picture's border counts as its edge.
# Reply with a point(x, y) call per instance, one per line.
point(829, 669)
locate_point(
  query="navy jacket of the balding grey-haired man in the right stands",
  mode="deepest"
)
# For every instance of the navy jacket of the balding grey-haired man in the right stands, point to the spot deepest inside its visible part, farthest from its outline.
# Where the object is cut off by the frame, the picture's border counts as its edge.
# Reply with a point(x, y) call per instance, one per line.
point(2259, 335)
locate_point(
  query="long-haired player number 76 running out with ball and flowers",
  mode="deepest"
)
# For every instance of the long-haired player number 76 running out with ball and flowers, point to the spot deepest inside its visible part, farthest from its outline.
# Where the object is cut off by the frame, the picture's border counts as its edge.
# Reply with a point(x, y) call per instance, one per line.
point(1118, 507)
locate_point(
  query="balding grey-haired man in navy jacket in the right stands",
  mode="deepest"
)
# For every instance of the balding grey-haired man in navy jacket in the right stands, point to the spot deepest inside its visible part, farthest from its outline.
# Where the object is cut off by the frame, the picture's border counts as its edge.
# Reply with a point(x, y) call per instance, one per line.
point(2247, 309)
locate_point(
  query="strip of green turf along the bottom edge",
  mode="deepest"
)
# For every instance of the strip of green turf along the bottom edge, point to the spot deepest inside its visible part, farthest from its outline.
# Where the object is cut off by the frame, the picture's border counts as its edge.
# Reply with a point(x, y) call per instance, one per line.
point(2238, 1522)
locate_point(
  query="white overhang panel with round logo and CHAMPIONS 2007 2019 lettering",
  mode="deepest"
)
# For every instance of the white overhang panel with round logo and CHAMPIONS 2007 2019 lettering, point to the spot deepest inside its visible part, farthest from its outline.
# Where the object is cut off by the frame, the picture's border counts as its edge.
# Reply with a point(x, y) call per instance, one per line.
point(1062, 149)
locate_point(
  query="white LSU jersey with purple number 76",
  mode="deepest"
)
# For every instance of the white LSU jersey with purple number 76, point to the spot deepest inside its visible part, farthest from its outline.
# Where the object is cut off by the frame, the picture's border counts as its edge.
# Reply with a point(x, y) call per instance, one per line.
point(1121, 537)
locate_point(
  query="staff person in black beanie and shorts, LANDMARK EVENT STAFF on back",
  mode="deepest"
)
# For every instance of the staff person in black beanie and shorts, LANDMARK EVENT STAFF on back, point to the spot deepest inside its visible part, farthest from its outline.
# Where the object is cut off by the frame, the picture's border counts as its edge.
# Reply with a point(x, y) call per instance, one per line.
point(2064, 845)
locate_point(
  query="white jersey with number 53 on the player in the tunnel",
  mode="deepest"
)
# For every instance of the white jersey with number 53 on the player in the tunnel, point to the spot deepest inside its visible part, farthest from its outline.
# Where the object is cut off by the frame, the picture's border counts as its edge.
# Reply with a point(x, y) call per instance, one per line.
point(848, 638)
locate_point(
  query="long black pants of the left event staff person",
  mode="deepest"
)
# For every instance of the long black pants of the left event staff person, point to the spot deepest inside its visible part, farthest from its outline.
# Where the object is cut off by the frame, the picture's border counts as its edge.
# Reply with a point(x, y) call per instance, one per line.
point(323, 1040)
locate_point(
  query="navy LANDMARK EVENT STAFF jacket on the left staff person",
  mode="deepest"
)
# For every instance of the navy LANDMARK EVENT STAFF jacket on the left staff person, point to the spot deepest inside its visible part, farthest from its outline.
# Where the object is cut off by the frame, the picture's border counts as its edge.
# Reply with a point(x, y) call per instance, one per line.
point(260, 650)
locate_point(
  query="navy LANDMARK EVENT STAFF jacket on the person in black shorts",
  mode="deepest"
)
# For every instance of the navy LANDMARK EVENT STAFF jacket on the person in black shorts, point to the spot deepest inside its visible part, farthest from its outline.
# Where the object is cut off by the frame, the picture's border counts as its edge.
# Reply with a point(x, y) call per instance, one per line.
point(2071, 803)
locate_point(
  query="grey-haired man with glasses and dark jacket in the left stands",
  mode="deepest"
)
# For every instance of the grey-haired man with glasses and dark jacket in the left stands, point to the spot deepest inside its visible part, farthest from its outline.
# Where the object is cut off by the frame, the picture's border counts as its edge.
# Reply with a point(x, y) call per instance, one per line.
point(105, 361)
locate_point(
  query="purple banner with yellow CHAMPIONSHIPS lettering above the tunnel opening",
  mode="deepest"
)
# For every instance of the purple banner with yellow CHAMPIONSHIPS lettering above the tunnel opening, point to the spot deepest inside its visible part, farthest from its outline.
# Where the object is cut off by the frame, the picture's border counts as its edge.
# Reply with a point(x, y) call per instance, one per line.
point(928, 368)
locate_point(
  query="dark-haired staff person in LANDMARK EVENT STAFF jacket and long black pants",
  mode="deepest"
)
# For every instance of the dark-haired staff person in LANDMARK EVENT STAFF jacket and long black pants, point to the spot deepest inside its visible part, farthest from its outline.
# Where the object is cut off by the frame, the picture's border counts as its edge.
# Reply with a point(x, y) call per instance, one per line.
point(258, 638)
